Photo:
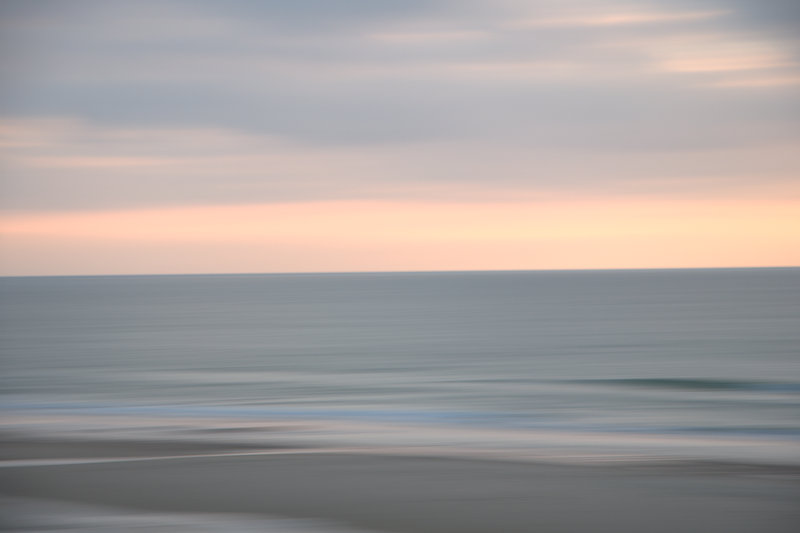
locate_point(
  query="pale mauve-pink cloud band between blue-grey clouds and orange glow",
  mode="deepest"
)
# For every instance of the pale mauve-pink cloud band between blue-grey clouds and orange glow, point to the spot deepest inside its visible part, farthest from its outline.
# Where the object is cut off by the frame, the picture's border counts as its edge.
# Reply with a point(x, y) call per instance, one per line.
point(66, 164)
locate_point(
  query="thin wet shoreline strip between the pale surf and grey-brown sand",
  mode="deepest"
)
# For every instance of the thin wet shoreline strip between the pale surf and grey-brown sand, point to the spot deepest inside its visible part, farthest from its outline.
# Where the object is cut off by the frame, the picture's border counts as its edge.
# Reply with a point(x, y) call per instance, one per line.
point(19, 449)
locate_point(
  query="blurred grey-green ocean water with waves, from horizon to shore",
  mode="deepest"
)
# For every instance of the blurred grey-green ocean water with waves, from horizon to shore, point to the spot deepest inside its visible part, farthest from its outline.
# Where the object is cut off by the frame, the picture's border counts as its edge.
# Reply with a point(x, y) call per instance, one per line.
point(572, 365)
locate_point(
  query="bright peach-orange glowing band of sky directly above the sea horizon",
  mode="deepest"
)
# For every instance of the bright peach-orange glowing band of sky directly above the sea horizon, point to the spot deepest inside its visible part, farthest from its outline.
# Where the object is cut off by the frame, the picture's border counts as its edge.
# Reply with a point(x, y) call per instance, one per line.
point(381, 236)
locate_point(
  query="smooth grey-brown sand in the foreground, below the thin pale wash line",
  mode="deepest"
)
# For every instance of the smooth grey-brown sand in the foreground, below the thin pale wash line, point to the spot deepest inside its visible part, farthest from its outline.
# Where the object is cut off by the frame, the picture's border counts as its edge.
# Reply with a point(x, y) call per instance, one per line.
point(429, 494)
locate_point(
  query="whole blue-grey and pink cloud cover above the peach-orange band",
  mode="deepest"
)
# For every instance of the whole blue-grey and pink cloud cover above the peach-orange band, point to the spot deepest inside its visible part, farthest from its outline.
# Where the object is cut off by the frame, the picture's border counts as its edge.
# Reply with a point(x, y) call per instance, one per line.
point(176, 102)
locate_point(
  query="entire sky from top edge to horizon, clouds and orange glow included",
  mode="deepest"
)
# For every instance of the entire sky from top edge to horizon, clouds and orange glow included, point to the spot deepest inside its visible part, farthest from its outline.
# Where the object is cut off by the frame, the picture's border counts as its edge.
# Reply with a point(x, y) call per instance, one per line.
point(199, 136)
